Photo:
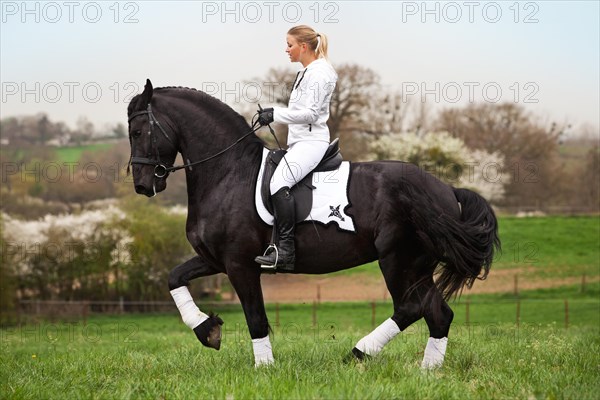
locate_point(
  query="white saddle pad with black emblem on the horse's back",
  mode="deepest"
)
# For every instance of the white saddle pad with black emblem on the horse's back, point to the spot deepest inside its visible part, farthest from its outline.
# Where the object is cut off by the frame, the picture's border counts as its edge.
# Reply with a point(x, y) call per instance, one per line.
point(330, 198)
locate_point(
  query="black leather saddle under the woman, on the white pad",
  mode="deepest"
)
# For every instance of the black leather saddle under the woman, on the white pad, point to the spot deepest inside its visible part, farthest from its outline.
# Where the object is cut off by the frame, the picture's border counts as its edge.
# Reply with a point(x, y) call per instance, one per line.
point(302, 192)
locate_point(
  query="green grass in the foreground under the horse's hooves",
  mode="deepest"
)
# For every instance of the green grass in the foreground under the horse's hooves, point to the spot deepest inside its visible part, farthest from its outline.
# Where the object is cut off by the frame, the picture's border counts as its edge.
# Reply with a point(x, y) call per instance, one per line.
point(157, 356)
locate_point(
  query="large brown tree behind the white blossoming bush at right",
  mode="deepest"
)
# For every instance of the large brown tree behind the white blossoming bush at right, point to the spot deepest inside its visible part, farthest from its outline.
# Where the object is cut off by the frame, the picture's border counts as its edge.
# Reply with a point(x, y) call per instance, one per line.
point(533, 173)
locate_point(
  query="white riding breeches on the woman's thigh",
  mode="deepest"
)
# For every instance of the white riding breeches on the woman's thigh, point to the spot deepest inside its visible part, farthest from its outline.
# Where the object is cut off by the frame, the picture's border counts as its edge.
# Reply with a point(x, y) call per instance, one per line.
point(302, 157)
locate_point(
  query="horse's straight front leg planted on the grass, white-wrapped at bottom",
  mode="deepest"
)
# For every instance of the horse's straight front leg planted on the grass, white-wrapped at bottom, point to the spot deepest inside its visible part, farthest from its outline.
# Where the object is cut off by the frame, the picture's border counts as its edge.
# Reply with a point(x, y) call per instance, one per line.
point(246, 282)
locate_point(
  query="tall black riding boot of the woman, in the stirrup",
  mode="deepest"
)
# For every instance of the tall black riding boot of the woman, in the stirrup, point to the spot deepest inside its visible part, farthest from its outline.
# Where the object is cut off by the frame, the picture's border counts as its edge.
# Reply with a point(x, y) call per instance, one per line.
point(285, 220)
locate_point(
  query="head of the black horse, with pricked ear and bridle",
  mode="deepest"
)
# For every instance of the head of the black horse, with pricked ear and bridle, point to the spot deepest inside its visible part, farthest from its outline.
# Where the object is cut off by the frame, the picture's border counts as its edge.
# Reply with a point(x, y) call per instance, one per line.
point(153, 149)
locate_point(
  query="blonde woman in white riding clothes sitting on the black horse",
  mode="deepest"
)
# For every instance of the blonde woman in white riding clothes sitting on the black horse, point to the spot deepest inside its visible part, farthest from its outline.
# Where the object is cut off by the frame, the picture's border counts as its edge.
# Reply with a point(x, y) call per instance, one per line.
point(308, 135)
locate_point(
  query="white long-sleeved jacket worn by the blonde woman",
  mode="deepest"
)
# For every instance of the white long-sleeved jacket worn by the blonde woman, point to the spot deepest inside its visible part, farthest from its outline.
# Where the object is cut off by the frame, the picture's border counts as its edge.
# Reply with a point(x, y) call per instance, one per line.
point(308, 109)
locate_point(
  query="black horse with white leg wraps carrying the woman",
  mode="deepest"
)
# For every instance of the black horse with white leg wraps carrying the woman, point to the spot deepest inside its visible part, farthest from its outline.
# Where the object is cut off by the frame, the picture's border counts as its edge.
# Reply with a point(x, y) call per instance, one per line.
point(415, 225)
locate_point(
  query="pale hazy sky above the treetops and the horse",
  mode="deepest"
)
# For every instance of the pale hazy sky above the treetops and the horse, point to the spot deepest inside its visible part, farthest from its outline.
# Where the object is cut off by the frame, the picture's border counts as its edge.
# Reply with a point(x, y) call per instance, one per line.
point(74, 59)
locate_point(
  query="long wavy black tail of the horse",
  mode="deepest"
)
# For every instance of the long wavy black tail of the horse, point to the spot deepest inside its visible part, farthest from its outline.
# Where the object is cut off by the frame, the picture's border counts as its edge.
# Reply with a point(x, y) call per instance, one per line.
point(464, 248)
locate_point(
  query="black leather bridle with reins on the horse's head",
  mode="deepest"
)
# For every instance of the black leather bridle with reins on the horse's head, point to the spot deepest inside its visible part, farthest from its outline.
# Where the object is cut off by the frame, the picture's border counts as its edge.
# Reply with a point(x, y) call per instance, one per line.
point(161, 169)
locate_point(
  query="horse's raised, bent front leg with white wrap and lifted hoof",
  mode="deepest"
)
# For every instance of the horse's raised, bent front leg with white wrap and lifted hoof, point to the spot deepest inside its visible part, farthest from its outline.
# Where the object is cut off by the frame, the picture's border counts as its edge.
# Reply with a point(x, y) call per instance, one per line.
point(206, 327)
